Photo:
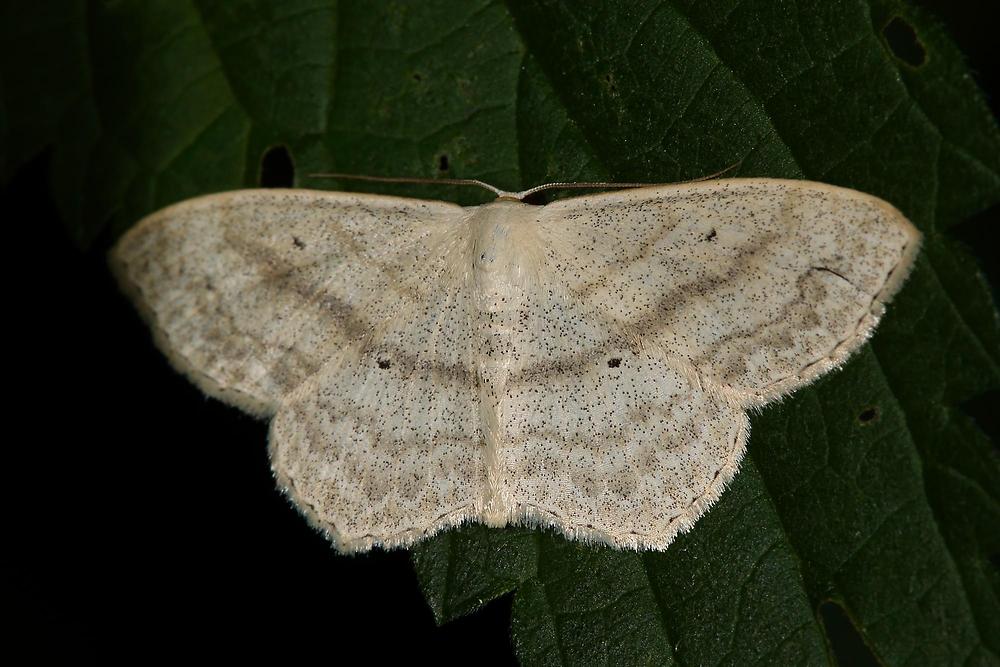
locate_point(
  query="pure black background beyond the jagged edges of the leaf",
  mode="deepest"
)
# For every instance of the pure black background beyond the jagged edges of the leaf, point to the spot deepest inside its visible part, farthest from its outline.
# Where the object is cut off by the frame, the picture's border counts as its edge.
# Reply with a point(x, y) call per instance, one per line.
point(144, 514)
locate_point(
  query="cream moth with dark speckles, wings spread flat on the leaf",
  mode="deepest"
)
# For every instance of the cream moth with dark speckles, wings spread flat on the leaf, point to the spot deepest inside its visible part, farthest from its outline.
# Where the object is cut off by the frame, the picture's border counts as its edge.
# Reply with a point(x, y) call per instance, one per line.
point(586, 365)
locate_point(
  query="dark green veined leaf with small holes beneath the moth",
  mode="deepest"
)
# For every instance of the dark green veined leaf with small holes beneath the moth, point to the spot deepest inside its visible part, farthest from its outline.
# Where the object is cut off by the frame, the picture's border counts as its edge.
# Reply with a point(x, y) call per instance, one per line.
point(871, 489)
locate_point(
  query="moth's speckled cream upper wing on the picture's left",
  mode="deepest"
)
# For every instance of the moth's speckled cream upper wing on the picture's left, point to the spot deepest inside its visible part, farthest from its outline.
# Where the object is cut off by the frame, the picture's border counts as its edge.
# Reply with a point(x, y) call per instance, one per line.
point(250, 292)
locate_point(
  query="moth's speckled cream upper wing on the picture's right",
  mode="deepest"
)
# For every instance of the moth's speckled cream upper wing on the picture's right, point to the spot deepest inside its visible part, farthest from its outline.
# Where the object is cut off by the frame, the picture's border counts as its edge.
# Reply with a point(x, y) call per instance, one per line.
point(758, 286)
